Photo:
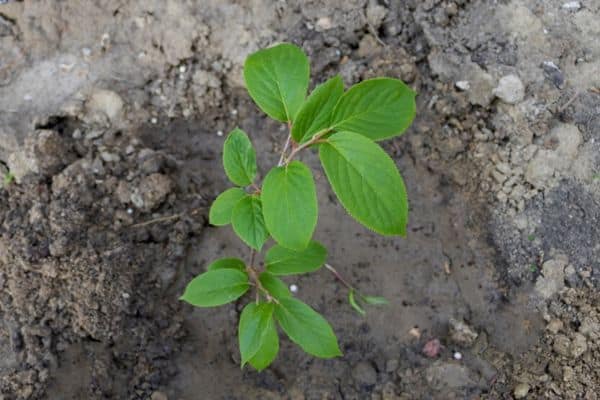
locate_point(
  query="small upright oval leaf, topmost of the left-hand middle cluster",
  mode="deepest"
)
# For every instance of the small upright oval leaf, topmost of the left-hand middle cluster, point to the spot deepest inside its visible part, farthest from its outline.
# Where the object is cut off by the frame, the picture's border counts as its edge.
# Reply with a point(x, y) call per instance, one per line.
point(239, 158)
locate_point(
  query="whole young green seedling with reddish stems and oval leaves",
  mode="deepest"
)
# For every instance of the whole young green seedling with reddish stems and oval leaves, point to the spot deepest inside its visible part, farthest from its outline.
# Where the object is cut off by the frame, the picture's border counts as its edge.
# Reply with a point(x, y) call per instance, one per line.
point(344, 127)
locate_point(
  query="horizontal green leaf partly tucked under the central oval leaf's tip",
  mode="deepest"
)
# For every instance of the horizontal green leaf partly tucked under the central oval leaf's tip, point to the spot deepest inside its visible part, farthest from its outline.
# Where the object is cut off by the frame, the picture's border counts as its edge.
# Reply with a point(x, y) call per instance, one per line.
point(283, 261)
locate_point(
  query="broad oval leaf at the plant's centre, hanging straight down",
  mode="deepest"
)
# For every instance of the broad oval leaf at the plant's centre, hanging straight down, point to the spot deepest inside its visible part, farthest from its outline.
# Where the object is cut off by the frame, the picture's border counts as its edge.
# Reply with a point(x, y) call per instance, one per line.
point(290, 204)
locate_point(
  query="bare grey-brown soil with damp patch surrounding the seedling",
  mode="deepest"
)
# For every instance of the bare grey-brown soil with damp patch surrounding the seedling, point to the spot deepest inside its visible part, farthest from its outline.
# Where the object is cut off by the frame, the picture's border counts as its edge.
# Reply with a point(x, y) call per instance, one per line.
point(112, 119)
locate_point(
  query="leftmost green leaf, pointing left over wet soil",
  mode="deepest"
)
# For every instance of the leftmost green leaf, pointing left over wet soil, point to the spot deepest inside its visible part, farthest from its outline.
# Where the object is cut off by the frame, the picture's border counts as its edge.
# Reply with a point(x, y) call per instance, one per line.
point(214, 288)
